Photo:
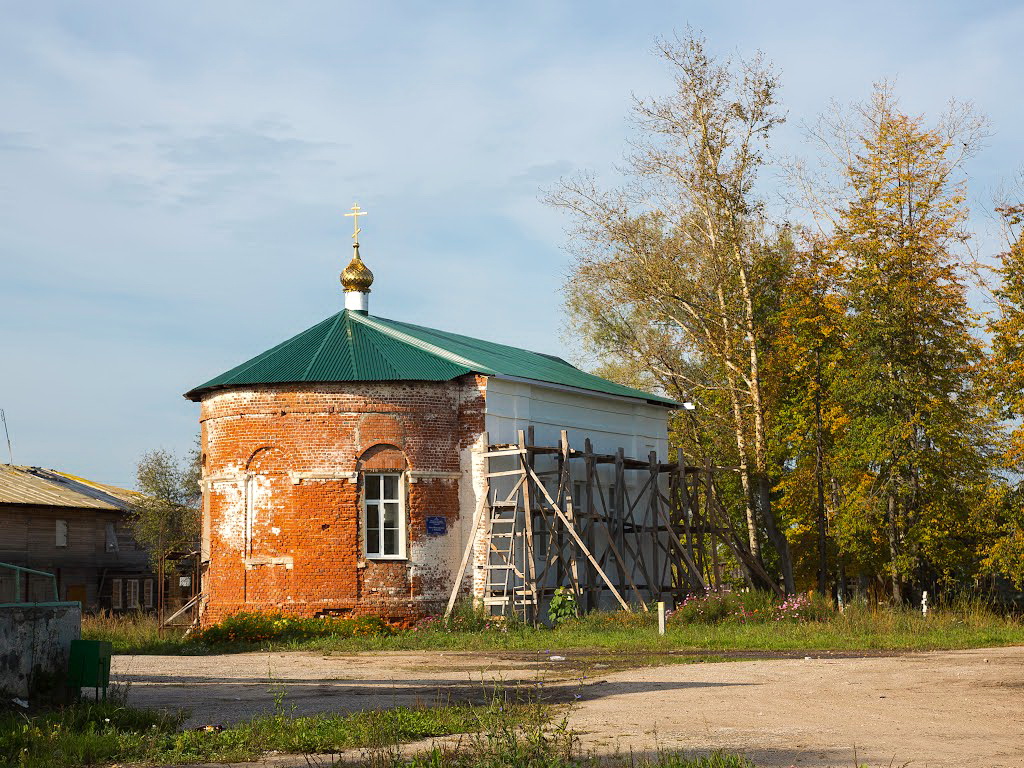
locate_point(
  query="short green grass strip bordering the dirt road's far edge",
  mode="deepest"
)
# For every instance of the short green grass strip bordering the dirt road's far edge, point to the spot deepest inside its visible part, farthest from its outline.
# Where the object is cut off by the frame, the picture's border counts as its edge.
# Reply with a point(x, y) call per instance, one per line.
point(963, 625)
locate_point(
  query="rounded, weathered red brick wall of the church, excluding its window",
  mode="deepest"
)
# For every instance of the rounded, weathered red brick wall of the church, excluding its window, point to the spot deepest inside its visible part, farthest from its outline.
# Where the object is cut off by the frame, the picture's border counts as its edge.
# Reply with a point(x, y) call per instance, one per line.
point(282, 521)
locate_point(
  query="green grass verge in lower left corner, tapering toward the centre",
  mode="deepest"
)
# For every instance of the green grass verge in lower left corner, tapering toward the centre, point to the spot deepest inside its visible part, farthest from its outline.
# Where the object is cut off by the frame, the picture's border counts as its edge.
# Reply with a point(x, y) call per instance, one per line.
point(104, 733)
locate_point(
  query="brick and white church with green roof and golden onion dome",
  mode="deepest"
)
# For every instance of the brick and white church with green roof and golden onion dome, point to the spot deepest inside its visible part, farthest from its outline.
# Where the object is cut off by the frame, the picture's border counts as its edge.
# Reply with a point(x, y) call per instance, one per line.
point(343, 467)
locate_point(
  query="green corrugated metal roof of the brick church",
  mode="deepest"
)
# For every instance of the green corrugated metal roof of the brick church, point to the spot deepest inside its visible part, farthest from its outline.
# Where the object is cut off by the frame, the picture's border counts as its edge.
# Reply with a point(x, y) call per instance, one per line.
point(354, 347)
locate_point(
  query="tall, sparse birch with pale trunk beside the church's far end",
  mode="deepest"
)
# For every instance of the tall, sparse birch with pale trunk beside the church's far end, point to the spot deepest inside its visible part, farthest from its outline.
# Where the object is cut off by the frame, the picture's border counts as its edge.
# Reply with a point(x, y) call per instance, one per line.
point(668, 268)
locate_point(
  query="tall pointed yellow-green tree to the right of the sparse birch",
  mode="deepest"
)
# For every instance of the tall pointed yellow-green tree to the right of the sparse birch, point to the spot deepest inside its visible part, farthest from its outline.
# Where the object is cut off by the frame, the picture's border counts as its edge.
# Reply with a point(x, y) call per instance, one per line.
point(916, 448)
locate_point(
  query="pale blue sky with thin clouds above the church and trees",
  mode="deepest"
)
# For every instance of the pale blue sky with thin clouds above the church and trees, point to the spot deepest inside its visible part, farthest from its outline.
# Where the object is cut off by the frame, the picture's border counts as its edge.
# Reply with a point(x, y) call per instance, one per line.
point(174, 176)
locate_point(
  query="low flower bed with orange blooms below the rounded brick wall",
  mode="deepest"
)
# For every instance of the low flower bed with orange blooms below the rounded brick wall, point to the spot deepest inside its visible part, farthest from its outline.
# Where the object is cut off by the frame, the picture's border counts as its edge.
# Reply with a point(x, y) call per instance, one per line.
point(259, 628)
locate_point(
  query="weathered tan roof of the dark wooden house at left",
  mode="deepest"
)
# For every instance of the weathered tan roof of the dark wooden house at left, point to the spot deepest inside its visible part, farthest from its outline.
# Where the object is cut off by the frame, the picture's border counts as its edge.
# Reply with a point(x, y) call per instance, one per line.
point(48, 488)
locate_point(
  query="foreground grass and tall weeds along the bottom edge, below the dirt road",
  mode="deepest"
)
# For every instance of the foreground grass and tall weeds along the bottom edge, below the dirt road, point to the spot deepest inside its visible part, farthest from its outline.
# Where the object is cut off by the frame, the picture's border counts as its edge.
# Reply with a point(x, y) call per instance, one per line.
point(501, 736)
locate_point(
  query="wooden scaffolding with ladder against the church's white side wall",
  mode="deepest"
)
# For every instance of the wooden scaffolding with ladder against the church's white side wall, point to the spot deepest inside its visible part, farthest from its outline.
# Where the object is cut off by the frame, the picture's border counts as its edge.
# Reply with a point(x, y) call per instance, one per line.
point(616, 531)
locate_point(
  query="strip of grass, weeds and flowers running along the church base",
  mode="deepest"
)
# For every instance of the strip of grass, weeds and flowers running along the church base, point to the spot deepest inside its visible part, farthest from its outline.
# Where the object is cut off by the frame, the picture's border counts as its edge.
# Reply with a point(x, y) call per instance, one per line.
point(731, 622)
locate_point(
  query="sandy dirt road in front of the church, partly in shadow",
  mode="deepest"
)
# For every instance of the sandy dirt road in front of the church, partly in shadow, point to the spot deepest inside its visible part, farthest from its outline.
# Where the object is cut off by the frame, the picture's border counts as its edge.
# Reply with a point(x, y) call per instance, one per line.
point(935, 710)
